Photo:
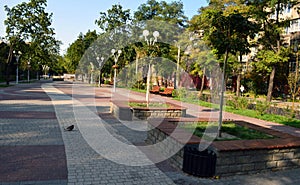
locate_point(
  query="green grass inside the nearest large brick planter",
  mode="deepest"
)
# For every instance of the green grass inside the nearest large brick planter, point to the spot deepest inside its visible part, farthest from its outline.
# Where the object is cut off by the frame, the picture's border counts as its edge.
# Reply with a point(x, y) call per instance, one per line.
point(240, 132)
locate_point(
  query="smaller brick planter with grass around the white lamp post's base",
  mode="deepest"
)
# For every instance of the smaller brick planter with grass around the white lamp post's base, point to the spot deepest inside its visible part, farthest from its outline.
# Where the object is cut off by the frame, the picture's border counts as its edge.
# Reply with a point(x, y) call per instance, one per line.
point(140, 110)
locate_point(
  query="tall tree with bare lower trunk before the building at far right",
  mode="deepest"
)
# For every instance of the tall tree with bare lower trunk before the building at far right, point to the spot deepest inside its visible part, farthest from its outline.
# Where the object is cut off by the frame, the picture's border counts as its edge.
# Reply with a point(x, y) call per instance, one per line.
point(266, 13)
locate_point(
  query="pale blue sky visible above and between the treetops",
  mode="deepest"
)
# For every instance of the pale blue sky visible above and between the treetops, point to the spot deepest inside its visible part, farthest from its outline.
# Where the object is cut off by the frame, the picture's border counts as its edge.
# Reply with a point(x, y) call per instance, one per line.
point(72, 17)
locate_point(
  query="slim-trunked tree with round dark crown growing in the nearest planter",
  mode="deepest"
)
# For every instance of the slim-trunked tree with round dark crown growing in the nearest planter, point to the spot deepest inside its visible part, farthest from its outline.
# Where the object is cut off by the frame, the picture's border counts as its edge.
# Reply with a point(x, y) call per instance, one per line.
point(225, 29)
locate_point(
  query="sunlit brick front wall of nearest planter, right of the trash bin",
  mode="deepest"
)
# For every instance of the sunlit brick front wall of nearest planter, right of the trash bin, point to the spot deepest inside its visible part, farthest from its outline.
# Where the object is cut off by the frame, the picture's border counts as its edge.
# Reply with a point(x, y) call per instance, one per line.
point(256, 160)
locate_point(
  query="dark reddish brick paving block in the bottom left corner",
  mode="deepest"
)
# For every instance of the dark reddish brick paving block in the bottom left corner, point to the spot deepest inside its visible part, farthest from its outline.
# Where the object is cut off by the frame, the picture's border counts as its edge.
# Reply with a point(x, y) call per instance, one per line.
point(32, 163)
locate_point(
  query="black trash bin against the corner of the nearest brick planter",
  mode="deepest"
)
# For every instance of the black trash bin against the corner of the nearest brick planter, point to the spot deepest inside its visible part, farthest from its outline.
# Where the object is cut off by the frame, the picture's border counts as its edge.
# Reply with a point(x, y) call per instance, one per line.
point(199, 163)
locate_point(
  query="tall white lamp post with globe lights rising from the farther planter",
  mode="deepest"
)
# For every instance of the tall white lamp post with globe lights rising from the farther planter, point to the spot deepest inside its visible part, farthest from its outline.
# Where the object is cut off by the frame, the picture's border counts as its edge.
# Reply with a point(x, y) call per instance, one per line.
point(150, 42)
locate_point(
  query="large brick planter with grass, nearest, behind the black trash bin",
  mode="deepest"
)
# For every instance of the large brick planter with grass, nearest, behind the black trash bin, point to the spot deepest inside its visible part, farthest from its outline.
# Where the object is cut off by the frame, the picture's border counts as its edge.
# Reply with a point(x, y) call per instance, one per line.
point(270, 150)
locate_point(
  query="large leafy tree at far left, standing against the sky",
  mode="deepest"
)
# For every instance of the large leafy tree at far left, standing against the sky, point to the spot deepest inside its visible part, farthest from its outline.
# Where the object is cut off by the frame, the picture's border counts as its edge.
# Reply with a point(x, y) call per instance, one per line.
point(30, 23)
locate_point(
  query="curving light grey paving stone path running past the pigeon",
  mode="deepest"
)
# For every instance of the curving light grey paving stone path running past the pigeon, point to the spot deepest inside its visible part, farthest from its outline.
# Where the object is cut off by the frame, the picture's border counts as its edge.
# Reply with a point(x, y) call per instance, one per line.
point(90, 164)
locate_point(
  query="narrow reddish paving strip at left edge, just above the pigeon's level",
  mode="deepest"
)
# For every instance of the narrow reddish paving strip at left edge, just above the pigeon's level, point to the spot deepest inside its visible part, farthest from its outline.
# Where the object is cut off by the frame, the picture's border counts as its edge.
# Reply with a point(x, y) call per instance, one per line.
point(27, 115)
